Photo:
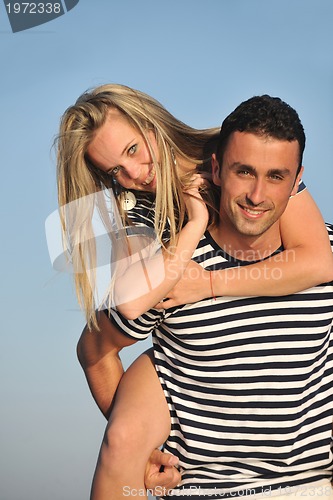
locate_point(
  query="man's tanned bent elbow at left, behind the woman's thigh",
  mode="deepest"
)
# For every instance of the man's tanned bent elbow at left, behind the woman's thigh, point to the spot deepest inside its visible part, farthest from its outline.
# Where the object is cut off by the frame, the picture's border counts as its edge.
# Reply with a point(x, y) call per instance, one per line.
point(98, 354)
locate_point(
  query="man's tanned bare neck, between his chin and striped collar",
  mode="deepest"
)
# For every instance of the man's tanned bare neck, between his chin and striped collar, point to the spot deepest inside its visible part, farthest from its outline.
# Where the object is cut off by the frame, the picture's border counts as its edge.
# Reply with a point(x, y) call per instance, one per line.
point(244, 247)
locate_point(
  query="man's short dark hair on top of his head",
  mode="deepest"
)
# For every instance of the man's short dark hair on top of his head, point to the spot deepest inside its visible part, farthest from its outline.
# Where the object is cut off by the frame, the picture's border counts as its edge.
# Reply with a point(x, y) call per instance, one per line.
point(263, 116)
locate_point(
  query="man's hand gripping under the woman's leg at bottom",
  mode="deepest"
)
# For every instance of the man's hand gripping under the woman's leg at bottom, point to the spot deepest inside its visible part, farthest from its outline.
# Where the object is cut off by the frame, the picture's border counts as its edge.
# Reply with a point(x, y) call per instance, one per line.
point(159, 482)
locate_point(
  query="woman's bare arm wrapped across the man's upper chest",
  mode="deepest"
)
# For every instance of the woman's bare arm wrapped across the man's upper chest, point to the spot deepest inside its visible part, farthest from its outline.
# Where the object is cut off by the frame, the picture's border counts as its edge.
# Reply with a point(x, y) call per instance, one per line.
point(306, 262)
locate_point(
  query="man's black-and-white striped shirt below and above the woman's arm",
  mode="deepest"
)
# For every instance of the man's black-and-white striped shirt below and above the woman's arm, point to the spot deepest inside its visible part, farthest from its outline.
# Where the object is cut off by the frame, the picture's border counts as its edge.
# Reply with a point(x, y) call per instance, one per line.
point(248, 381)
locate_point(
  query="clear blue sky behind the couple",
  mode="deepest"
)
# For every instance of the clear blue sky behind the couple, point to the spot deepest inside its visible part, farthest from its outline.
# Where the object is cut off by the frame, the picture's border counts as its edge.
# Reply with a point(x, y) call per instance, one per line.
point(200, 59)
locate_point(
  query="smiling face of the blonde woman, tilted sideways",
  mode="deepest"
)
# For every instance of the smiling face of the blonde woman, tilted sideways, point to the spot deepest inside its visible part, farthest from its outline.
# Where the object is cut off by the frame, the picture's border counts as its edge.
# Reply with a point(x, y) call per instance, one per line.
point(121, 151)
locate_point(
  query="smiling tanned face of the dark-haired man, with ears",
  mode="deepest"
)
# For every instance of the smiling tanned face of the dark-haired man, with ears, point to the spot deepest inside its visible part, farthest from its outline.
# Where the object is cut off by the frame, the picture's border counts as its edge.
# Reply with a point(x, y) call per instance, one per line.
point(257, 177)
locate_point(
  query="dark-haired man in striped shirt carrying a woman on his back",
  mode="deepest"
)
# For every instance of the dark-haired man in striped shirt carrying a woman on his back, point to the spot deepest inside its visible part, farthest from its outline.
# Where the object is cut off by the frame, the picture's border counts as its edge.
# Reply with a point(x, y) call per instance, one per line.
point(248, 380)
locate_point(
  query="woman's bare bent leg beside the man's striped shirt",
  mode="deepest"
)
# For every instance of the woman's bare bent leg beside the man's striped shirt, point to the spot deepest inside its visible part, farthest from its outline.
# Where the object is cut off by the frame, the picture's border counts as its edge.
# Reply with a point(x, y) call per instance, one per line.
point(139, 423)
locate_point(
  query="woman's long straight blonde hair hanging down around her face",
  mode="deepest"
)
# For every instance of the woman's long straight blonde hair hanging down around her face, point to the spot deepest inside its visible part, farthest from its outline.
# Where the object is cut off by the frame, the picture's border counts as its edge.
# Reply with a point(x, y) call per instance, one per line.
point(178, 144)
